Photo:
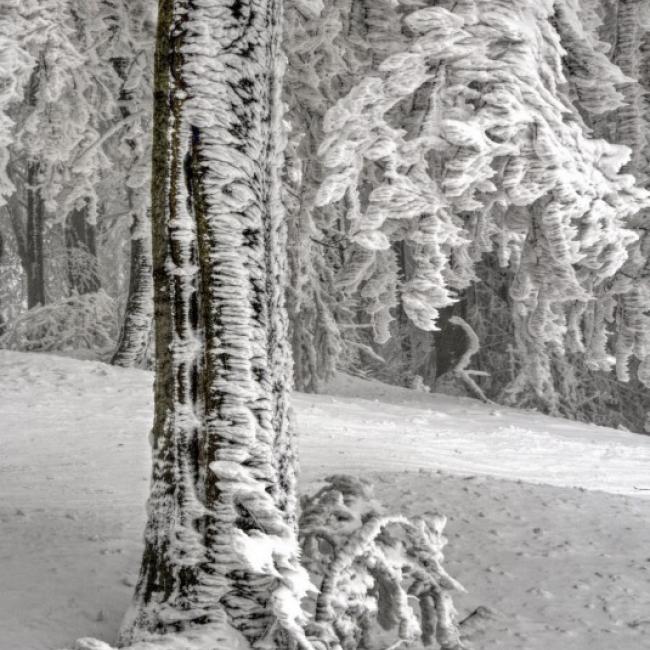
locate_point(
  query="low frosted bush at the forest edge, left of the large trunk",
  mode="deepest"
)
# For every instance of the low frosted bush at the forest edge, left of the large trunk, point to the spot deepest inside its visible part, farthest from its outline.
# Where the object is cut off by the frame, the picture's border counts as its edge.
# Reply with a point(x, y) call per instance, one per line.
point(81, 322)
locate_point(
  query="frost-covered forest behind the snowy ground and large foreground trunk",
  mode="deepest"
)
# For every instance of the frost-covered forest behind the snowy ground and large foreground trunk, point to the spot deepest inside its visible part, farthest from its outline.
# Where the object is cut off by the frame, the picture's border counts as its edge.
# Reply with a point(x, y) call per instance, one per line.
point(354, 304)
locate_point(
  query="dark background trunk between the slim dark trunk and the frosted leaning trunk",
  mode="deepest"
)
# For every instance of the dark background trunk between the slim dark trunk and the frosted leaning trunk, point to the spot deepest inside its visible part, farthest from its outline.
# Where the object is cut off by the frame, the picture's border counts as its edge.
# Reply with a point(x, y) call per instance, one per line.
point(81, 250)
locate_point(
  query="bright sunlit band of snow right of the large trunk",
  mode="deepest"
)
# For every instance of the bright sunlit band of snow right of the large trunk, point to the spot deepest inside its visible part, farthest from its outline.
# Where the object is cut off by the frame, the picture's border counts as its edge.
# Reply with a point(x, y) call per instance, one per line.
point(392, 429)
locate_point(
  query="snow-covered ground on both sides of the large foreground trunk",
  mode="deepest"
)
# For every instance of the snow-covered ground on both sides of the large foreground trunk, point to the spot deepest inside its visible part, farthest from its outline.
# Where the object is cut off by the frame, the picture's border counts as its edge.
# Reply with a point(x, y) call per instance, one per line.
point(565, 565)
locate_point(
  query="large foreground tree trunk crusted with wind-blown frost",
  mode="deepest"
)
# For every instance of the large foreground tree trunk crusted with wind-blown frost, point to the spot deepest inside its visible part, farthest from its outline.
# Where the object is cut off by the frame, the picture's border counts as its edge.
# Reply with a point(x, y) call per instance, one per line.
point(223, 465)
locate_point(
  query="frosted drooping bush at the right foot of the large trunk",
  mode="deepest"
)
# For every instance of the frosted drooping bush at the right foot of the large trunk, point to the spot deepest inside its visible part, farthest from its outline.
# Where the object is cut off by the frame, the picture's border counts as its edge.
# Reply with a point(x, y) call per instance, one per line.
point(370, 566)
